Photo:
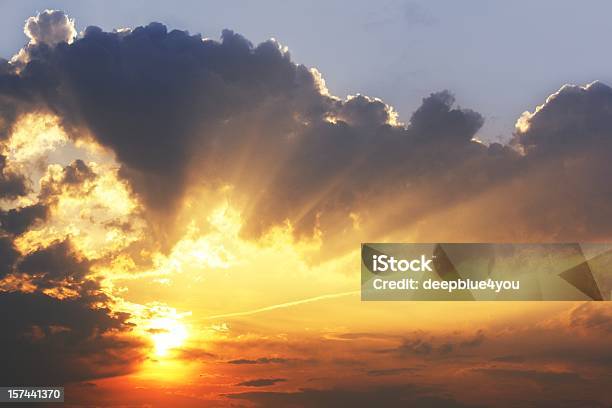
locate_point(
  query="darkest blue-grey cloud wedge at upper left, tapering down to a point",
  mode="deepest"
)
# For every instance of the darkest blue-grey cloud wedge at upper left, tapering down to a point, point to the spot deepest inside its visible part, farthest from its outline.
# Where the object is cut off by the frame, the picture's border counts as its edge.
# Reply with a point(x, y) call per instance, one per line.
point(153, 96)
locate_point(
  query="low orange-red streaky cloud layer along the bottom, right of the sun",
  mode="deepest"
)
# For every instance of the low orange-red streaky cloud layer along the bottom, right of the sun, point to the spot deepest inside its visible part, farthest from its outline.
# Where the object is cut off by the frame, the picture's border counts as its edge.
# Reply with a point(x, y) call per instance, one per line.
point(553, 353)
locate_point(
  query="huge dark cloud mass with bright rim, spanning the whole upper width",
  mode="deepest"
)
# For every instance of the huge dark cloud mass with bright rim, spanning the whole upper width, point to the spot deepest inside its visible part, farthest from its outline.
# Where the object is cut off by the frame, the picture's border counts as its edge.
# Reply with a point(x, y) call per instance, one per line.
point(179, 110)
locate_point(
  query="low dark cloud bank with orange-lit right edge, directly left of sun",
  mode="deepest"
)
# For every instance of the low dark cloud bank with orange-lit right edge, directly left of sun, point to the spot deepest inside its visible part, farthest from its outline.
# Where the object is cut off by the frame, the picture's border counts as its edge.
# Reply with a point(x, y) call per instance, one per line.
point(47, 341)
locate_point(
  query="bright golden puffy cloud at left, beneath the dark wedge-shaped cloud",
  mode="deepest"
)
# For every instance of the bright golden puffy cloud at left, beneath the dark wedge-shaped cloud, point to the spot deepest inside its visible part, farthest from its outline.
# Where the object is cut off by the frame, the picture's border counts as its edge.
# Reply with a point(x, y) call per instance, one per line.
point(88, 204)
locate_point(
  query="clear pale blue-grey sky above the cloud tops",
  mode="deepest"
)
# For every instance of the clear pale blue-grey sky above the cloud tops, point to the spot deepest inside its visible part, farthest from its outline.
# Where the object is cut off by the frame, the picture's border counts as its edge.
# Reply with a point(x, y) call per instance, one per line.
point(498, 58)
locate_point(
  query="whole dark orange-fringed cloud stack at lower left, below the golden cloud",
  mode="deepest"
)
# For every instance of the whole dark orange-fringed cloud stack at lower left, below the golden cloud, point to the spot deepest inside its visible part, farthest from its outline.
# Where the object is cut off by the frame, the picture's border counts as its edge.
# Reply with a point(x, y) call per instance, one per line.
point(75, 338)
